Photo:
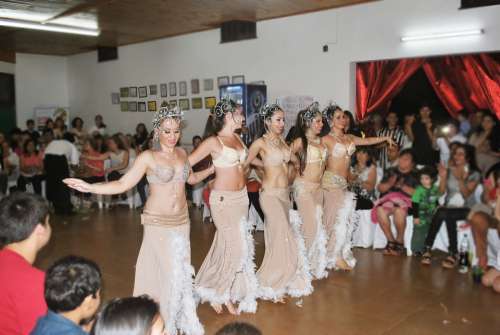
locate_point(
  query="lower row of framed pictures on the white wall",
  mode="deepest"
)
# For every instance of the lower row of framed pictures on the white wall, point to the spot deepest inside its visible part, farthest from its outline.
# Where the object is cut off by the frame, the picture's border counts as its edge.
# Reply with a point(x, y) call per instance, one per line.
point(151, 106)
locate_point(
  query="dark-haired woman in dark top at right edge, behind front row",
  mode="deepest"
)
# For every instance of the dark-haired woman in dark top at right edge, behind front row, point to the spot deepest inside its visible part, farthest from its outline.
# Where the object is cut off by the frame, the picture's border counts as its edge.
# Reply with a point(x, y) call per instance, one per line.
point(486, 140)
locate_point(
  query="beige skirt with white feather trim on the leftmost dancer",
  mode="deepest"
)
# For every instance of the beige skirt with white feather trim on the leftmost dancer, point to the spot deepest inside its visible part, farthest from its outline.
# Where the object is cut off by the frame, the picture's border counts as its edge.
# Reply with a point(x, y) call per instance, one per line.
point(164, 271)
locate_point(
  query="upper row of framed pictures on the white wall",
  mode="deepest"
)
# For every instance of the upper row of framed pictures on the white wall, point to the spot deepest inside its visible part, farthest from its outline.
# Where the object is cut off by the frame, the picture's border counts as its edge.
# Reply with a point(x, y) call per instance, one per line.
point(171, 88)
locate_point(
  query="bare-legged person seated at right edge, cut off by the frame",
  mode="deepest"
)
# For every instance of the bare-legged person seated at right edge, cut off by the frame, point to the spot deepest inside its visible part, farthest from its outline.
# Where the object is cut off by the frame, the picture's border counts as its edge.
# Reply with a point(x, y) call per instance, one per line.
point(485, 216)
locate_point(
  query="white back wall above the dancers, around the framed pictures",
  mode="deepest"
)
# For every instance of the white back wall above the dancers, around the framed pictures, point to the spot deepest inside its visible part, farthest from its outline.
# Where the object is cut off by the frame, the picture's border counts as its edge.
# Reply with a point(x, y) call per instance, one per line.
point(287, 55)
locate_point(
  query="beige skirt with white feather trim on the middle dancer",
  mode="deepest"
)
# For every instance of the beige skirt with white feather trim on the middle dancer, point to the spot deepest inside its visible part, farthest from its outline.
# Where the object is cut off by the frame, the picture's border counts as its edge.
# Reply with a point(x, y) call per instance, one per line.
point(285, 268)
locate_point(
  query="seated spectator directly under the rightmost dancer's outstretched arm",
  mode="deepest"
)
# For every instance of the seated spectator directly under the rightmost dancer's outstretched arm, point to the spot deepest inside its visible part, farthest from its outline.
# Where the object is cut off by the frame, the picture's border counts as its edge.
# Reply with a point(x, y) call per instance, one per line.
point(363, 178)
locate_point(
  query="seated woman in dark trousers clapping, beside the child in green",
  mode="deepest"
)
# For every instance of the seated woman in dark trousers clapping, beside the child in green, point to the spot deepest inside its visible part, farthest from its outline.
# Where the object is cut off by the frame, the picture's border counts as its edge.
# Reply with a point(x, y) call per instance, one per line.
point(459, 182)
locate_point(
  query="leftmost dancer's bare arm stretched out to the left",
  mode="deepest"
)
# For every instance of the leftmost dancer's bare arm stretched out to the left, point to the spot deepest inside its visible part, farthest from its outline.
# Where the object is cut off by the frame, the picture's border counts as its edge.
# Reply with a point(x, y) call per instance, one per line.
point(126, 182)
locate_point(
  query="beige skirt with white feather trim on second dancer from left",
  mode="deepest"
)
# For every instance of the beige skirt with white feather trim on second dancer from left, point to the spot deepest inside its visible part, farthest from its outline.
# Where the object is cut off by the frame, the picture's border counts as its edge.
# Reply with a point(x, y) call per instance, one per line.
point(228, 271)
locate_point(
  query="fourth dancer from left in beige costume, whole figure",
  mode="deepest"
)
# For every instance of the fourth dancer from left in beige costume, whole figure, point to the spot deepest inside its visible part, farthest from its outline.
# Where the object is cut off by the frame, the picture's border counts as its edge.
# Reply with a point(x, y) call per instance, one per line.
point(306, 187)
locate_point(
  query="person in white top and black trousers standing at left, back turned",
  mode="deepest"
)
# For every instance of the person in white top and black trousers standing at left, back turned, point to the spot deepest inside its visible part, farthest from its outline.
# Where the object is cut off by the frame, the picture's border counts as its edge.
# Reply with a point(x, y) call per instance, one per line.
point(59, 155)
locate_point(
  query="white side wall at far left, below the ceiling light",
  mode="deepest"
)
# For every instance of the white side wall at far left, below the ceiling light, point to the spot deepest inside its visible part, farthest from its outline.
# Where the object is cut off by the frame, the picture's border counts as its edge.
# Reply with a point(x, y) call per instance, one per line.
point(40, 81)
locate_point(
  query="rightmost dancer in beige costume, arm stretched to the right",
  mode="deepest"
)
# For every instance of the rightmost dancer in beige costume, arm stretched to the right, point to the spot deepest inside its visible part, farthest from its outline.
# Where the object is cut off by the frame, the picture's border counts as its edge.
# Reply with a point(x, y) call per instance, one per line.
point(339, 203)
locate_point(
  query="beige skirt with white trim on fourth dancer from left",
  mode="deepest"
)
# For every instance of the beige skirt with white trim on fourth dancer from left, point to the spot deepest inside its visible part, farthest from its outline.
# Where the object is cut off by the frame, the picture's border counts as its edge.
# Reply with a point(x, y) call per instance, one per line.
point(309, 199)
